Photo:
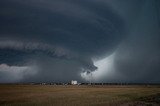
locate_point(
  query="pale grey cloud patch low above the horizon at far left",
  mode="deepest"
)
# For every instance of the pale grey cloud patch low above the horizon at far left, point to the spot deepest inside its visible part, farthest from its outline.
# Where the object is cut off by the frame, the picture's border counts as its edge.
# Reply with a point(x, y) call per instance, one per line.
point(15, 73)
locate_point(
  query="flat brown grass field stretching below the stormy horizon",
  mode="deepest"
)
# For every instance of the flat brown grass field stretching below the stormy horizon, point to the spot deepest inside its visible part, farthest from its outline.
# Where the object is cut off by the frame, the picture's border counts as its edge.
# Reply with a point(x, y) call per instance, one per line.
point(51, 95)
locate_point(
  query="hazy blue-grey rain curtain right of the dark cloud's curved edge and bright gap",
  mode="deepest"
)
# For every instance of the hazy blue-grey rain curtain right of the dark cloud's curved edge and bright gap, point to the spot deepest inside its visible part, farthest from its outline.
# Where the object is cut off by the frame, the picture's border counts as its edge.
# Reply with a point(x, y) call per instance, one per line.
point(137, 58)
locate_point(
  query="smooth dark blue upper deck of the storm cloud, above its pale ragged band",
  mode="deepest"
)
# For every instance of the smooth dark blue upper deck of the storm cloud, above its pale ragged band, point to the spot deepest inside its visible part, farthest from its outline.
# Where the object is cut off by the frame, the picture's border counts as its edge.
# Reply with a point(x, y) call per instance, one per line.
point(56, 22)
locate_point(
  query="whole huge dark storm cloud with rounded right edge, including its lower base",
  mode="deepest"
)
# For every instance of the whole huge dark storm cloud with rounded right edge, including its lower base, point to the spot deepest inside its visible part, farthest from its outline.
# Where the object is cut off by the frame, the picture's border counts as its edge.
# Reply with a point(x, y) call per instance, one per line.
point(60, 37)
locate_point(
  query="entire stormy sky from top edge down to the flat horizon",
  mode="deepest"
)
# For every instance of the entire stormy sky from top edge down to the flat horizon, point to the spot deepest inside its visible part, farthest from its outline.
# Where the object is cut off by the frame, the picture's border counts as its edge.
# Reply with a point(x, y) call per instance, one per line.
point(84, 40)
